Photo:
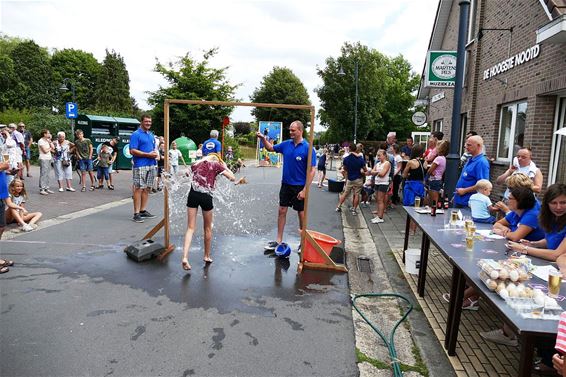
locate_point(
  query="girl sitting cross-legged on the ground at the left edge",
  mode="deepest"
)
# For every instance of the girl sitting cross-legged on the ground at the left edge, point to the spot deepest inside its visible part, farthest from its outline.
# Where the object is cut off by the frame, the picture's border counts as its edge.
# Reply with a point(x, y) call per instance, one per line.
point(16, 211)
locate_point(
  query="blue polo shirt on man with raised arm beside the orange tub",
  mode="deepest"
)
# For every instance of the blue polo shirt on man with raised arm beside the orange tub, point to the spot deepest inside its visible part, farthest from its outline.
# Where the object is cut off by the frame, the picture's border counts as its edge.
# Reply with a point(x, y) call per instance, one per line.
point(295, 161)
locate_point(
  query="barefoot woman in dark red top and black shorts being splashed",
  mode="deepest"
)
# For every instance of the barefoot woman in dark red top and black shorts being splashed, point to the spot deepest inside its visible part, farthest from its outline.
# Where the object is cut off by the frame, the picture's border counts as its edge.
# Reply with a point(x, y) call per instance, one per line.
point(204, 172)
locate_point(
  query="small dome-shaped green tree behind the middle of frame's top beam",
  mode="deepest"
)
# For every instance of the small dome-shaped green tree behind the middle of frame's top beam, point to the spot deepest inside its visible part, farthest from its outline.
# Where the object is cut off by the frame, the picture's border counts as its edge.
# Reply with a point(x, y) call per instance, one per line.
point(281, 85)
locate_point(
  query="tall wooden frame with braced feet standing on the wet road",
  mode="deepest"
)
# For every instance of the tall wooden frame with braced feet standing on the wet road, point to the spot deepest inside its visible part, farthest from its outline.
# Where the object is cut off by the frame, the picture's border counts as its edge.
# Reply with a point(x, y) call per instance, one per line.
point(164, 223)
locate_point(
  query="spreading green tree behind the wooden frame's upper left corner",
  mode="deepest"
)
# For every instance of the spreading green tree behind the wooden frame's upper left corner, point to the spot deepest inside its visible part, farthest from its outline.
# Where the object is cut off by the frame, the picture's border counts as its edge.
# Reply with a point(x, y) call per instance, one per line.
point(189, 78)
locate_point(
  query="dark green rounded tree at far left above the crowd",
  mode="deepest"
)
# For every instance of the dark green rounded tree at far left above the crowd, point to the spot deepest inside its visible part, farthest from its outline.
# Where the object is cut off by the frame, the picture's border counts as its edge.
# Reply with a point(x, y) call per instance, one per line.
point(34, 86)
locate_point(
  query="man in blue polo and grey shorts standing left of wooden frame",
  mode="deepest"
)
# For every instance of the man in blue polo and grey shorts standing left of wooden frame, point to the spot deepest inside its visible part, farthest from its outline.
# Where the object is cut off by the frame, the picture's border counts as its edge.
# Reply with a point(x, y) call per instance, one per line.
point(142, 148)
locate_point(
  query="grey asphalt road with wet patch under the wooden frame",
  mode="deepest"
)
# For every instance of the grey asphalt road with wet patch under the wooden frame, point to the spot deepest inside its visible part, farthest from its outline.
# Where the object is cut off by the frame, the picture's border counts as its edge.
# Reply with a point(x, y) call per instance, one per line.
point(75, 305)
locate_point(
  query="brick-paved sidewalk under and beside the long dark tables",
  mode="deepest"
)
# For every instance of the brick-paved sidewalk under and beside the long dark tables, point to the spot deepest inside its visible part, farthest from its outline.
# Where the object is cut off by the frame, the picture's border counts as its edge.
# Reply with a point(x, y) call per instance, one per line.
point(474, 356)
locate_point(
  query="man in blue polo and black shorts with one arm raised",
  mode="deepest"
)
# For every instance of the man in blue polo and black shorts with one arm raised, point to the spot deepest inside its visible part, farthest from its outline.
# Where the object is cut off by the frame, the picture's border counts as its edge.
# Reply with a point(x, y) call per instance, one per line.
point(296, 176)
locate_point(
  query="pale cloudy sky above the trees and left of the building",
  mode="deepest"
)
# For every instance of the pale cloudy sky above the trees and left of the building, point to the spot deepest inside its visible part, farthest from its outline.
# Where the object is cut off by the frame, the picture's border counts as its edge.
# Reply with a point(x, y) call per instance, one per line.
point(252, 36)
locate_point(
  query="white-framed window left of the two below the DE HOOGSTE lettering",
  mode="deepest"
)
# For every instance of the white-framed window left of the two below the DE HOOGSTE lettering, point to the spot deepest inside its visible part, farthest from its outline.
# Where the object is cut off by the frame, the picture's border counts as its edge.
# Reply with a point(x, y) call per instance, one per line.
point(511, 130)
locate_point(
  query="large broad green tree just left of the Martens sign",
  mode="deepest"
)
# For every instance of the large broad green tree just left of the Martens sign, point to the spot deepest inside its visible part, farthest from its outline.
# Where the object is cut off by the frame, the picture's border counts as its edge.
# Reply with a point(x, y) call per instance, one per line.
point(385, 89)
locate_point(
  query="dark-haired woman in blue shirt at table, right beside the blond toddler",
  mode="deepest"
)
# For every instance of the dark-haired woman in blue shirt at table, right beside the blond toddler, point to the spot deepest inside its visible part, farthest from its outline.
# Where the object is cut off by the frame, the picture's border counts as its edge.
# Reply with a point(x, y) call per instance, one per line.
point(522, 221)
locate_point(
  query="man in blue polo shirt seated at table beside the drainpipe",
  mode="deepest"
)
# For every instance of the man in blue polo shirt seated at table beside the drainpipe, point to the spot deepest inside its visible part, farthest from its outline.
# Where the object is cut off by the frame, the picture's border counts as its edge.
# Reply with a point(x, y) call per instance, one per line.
point(476, 168)
